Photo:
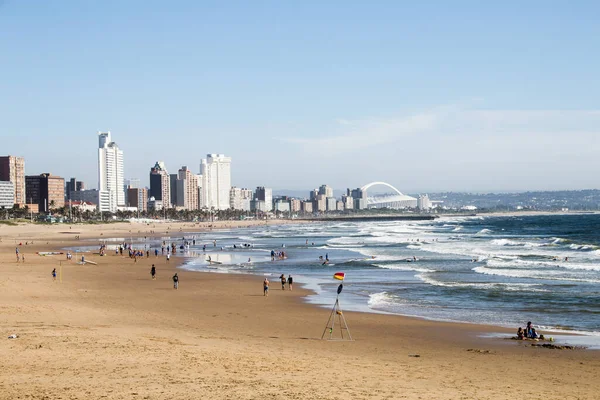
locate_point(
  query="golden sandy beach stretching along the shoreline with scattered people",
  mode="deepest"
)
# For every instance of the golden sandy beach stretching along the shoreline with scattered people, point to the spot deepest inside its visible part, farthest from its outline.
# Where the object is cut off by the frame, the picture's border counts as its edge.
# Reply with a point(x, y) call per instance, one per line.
point(108, 331)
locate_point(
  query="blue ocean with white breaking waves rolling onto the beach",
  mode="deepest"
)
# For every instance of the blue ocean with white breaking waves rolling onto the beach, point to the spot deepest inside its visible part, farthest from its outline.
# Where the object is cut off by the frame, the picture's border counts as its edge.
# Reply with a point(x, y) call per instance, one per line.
point(496, 270)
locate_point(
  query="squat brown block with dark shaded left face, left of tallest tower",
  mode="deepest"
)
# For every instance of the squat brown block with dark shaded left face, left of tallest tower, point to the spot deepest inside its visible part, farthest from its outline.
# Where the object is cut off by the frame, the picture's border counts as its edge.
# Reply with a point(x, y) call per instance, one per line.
point(45, 190)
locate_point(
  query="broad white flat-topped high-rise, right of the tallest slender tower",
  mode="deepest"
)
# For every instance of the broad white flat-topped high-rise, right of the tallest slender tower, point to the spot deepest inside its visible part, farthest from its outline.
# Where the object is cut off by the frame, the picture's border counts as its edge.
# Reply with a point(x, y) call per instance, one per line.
point(216, 181)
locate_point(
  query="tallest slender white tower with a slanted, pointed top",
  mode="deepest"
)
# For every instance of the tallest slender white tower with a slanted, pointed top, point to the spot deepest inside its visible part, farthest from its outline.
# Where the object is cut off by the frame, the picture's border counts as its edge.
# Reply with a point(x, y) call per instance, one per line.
point(110, 170)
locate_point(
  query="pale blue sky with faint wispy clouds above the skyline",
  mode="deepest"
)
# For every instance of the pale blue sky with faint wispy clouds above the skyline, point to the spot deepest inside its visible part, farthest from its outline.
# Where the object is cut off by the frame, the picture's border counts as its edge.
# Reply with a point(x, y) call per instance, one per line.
point(426, 95)
